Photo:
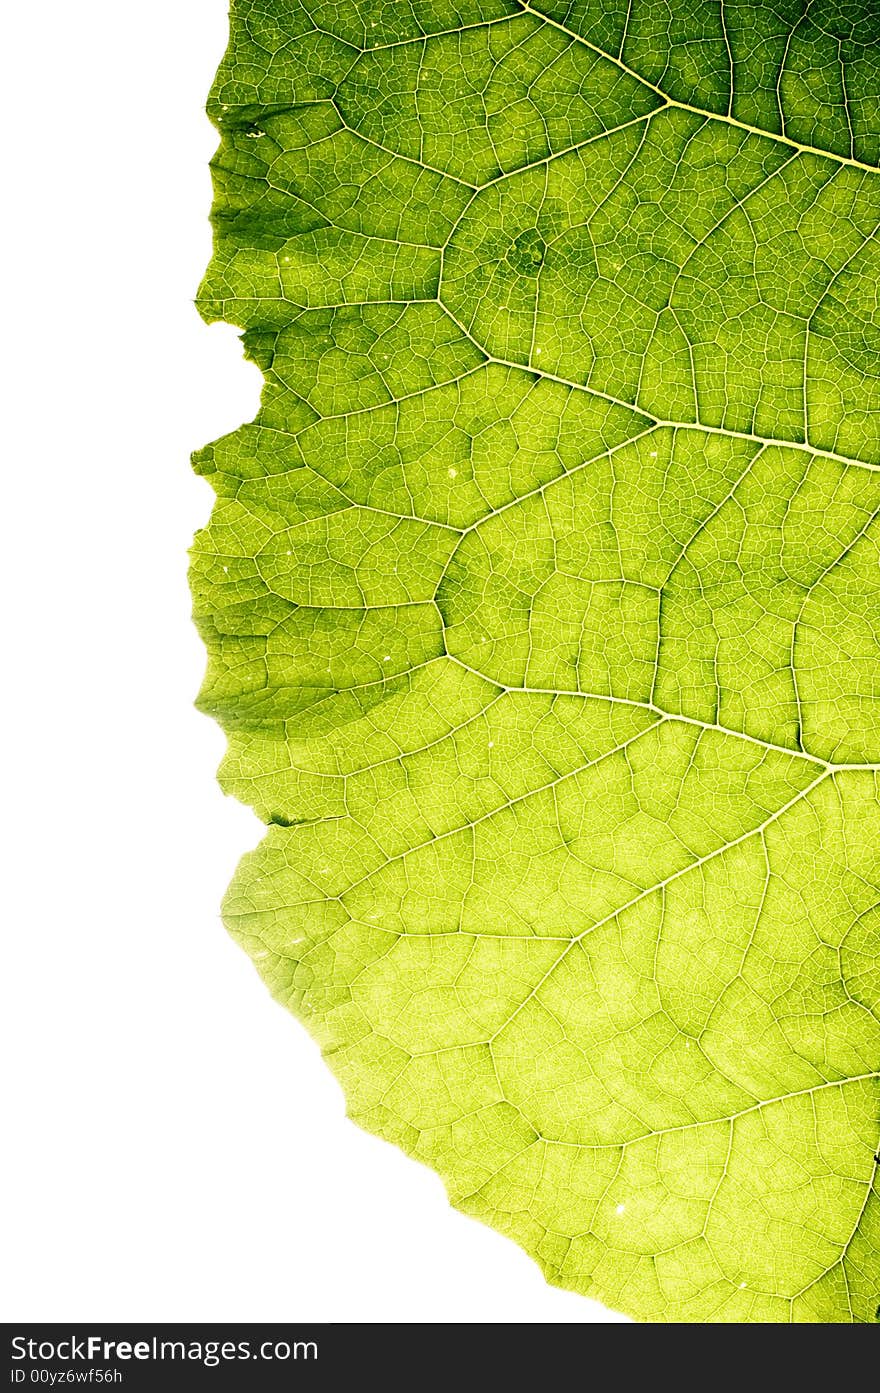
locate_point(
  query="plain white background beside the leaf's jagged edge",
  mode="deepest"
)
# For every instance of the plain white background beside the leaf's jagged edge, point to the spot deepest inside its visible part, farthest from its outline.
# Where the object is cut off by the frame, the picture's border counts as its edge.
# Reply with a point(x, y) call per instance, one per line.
point(176, 1150)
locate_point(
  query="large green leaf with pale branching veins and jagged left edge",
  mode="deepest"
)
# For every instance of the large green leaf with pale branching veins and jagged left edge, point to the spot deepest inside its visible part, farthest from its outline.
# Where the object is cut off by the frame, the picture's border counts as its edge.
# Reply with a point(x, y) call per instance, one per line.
point(544, 612)
